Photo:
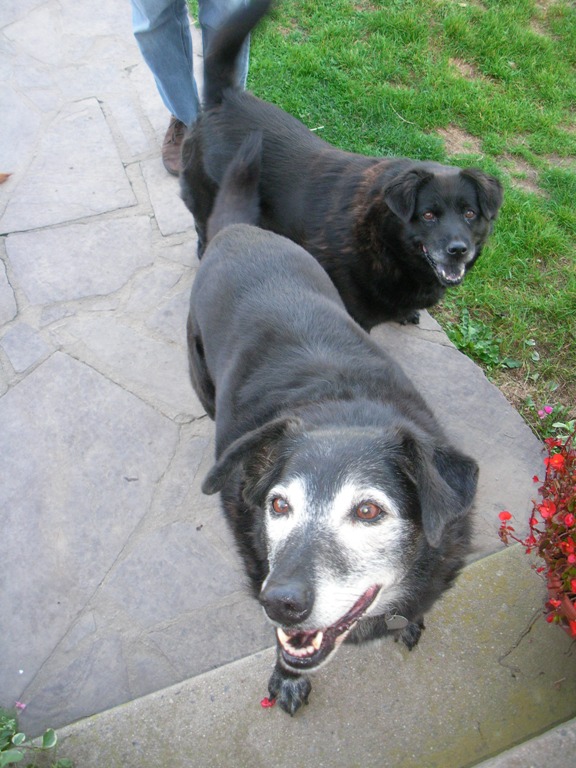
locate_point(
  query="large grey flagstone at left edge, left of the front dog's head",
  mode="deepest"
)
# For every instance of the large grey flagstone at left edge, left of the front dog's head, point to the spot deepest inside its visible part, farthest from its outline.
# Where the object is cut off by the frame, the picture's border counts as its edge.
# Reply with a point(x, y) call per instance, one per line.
point(73, 488)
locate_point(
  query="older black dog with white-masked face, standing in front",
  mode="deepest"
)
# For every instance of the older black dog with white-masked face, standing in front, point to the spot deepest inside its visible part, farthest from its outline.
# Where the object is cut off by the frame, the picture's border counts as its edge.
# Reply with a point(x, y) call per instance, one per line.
point(348, 505)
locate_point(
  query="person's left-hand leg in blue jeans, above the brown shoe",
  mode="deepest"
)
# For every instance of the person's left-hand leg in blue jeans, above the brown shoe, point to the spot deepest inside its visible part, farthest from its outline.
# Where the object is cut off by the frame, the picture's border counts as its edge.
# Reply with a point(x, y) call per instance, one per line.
point(162, 31)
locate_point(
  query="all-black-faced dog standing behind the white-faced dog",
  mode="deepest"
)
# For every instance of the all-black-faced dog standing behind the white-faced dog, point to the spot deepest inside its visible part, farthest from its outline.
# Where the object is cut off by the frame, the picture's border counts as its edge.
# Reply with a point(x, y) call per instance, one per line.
point(392, 234)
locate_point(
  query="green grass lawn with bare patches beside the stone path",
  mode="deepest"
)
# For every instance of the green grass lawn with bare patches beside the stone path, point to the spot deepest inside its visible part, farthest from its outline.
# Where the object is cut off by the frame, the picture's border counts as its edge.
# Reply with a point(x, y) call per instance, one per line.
point(490, 84)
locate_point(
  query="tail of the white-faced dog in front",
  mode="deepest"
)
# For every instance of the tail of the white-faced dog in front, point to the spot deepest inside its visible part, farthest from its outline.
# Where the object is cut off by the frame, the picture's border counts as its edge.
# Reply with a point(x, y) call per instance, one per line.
point(238, 199)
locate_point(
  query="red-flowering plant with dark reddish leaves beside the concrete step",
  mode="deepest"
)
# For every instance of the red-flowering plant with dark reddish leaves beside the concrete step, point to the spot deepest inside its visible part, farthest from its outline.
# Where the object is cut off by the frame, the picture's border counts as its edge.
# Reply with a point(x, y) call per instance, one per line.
point(553, 530)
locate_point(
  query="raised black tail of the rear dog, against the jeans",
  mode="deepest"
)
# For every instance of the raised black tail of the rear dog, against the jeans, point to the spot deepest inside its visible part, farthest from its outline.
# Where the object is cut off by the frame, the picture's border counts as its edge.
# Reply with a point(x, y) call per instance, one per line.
point(221, 58)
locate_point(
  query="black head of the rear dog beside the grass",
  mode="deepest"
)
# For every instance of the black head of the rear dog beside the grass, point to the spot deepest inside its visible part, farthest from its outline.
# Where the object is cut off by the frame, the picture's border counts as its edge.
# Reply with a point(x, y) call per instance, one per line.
point(446, 215)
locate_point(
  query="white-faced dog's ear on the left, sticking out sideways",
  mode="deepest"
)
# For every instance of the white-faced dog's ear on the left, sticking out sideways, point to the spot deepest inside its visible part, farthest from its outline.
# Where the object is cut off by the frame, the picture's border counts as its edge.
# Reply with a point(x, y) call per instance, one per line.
point(257, 447)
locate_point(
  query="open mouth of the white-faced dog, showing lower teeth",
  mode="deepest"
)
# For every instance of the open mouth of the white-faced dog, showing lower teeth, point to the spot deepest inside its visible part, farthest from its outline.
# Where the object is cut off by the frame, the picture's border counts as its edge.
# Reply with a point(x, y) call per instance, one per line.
point(305, 650)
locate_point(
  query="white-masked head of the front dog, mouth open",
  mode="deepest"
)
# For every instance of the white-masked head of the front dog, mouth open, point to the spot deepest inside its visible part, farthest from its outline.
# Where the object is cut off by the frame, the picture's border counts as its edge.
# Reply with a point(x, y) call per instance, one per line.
point(342, 515)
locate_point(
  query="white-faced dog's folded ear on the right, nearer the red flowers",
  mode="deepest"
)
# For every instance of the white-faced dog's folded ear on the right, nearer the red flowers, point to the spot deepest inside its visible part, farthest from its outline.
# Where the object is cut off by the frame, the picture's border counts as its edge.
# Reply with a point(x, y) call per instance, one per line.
point(446, 482)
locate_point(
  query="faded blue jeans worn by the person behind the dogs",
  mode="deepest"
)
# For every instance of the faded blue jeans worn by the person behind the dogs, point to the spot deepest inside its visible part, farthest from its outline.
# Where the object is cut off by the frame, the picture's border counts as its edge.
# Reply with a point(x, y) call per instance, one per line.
point(162, 31)
